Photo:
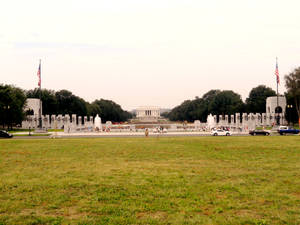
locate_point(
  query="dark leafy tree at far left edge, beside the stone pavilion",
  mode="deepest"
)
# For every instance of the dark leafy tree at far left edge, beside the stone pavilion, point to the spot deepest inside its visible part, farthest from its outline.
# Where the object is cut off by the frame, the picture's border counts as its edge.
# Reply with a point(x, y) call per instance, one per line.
point(12, 103)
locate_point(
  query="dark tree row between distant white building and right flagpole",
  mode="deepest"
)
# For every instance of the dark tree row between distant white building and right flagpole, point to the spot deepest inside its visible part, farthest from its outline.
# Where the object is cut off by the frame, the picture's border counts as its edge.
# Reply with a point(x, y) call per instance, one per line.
point(219, 102)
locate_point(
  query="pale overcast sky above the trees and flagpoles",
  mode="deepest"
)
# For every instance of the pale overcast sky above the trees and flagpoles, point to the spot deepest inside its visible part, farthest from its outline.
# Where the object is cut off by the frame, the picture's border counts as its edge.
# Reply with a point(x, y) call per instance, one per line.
point(148, 52)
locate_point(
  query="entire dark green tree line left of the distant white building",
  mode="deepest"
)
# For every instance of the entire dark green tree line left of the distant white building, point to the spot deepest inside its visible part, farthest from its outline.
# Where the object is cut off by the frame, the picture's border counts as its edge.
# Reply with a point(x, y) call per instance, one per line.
point(13, 101)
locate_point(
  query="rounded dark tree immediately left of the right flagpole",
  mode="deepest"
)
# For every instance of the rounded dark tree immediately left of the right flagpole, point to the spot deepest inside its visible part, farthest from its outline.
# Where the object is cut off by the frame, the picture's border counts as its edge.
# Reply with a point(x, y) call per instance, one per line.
point(256, 102)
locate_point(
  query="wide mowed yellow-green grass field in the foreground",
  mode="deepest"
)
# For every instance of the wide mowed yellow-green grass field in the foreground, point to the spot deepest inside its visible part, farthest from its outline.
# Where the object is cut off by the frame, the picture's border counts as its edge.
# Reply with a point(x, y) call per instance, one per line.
point(182, 180)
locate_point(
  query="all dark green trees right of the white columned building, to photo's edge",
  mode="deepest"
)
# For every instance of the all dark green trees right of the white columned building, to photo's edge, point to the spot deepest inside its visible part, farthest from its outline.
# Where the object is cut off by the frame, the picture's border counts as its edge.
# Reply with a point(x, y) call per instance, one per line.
point(224, 102)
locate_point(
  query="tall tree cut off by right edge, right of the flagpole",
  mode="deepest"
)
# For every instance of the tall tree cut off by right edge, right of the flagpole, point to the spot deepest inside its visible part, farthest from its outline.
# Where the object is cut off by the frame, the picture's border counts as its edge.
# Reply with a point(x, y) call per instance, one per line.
point(292, 84)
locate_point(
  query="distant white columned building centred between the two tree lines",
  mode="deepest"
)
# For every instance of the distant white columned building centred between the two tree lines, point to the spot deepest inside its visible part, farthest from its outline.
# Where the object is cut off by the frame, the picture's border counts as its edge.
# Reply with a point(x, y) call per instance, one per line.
point(148, 113)
